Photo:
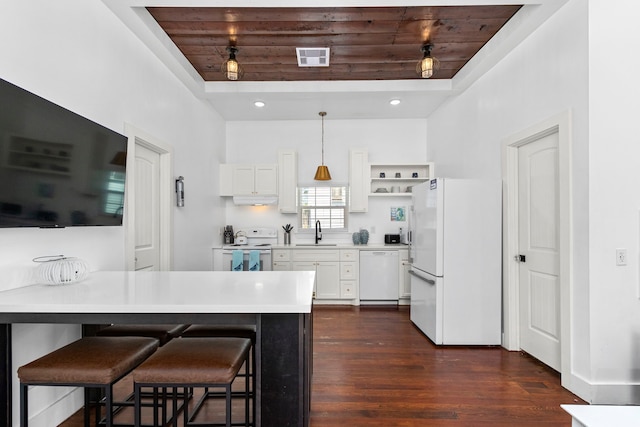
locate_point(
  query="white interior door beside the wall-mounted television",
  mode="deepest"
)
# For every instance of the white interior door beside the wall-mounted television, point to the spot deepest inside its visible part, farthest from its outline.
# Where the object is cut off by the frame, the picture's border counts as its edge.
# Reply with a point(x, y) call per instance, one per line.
point(147, 208)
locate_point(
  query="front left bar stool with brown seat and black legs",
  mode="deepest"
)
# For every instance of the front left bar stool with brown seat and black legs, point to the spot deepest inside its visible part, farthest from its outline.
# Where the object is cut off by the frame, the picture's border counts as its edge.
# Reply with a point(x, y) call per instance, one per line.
point(91, 362)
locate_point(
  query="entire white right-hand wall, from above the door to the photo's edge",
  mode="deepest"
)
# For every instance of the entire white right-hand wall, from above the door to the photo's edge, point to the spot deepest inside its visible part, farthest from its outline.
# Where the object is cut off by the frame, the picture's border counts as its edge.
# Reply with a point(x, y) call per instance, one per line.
point(561, 67)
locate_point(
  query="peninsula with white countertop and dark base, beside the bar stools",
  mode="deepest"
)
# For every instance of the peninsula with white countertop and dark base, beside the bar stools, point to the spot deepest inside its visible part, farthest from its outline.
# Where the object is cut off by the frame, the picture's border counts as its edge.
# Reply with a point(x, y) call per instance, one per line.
point(277, 303)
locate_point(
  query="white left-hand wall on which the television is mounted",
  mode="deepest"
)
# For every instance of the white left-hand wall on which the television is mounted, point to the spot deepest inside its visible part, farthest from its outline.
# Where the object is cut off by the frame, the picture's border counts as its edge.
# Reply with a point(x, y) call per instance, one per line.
point(76, 53)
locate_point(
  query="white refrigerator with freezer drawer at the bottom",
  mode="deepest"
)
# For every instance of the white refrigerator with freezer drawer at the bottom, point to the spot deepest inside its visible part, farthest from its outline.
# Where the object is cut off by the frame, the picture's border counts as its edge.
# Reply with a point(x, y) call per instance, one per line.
point(456, 267)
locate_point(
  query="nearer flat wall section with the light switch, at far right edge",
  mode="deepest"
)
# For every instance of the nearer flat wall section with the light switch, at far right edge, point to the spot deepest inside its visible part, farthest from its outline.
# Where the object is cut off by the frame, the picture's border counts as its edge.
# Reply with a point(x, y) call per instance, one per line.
point(614, 208)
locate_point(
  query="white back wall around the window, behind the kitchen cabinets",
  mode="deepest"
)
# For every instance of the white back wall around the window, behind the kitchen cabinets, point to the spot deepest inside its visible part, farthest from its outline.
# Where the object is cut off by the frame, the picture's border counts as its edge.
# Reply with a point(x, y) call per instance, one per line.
point(388, 141)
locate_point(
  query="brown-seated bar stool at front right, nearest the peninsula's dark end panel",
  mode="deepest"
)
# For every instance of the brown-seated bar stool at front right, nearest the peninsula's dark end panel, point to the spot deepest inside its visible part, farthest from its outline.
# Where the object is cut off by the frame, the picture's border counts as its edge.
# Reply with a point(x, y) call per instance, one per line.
point(194, 363)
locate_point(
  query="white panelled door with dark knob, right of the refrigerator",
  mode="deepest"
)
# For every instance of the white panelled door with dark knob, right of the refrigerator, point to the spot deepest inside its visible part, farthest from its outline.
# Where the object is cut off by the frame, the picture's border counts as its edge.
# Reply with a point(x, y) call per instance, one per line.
point(539, 272)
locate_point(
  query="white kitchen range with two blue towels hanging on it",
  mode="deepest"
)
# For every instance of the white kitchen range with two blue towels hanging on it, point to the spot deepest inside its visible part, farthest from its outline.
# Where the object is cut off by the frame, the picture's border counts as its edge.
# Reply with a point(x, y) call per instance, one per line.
point(247, 240)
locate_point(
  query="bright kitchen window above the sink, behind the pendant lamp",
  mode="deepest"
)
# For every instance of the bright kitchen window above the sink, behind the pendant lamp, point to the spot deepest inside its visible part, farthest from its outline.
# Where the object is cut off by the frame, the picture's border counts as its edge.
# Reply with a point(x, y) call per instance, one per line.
point(327, 204)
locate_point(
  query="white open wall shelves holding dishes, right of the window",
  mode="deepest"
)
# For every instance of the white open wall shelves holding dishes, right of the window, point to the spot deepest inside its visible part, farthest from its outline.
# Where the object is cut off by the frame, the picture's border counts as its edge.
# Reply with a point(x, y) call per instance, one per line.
point(397, 179)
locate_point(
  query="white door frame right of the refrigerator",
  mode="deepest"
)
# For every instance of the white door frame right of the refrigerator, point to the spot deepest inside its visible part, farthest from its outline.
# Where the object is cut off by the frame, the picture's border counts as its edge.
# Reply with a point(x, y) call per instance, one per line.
point(561, 124)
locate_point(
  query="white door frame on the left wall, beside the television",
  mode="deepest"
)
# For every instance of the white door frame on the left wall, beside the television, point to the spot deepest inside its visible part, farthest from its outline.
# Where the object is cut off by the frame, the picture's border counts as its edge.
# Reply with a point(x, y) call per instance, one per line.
point(138, 137)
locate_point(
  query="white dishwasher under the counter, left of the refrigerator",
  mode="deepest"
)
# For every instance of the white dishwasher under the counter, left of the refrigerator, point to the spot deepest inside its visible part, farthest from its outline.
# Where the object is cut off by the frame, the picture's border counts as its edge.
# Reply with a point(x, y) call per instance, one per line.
point(379, 275)
